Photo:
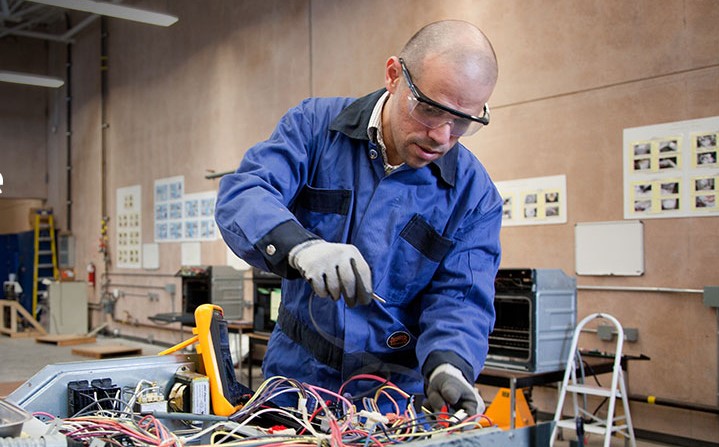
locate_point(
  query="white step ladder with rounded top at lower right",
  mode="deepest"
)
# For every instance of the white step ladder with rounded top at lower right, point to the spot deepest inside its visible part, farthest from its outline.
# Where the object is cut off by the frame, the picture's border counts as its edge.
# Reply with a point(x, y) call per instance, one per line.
point(621, 424)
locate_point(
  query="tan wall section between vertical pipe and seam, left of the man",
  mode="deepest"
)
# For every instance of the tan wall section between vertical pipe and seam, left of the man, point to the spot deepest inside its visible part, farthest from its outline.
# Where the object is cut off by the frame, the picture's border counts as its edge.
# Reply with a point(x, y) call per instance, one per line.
point(194, 101)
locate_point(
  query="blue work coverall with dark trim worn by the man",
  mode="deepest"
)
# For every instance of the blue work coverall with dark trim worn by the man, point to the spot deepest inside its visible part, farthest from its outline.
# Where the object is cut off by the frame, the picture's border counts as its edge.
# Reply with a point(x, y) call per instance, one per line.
point(430, 236)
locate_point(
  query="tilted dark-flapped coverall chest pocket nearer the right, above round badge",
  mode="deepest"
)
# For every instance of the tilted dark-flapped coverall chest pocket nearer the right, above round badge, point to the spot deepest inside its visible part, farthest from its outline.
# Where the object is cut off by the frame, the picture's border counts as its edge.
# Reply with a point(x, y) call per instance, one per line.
point(415, 257)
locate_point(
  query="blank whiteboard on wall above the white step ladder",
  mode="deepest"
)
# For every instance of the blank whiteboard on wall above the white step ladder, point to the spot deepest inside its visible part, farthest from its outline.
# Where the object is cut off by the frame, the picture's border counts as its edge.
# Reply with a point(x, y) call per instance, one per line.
point(609, 248)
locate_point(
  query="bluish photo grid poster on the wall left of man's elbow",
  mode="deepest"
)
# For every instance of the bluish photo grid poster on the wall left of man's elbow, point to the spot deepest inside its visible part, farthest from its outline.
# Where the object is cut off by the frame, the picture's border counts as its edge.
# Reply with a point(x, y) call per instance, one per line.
point(181, 217)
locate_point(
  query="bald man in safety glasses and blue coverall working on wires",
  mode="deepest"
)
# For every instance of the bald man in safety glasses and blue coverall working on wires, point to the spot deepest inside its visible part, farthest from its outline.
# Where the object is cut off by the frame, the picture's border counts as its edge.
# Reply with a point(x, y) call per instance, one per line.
point(374, 203)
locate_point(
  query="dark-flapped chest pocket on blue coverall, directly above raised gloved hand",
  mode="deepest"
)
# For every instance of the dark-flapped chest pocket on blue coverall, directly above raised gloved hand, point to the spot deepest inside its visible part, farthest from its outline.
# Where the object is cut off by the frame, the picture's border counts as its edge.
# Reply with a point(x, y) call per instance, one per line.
point(324, 211)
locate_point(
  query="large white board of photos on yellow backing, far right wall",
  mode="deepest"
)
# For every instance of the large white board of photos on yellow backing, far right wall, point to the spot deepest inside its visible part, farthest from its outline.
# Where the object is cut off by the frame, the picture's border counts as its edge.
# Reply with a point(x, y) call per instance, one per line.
point(671, 170)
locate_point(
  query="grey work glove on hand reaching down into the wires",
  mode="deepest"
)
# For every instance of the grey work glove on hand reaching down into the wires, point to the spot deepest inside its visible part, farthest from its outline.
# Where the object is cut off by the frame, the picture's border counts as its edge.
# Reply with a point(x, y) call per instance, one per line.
point(447, 385)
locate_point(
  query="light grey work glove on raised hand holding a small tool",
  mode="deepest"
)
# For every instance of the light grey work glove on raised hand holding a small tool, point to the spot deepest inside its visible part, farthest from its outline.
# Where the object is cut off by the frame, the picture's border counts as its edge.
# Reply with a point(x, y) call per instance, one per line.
point(334, 269)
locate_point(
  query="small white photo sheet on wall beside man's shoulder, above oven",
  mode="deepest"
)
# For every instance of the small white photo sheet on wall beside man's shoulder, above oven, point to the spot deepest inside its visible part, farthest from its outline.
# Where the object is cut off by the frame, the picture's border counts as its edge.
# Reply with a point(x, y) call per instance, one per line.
point(534, 201)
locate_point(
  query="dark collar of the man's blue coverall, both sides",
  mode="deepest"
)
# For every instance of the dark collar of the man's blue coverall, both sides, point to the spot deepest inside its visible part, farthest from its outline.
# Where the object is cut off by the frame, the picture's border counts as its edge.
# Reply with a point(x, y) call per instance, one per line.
point(353, 122)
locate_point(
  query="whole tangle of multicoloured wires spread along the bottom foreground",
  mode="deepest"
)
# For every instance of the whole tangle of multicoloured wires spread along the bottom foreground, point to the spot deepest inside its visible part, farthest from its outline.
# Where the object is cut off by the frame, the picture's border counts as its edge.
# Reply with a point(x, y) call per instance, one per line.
point(324, 417)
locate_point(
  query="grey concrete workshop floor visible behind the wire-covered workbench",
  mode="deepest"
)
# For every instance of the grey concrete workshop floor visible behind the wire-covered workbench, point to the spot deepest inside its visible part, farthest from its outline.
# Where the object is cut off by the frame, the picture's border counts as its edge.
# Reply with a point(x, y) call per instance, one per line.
point(21, 358)
